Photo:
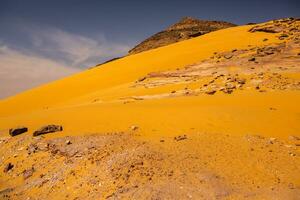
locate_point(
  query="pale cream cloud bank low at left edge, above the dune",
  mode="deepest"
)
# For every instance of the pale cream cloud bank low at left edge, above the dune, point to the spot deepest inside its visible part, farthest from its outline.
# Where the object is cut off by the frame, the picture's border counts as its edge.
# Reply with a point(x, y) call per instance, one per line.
point(20, 71)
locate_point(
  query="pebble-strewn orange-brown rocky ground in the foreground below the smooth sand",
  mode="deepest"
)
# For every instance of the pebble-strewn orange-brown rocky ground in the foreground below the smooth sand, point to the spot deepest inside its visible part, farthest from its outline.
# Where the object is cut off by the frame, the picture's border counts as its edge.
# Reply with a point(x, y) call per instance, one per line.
point(124, 165)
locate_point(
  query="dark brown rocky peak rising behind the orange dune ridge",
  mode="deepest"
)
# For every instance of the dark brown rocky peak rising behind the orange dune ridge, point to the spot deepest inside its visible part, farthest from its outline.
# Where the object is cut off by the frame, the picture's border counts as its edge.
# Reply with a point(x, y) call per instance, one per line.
point(185, 29)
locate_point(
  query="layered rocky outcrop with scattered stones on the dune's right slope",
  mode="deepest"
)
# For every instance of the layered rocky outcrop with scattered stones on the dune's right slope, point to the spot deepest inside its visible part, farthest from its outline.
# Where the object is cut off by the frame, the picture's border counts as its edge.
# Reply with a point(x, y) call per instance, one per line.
point(265, 68)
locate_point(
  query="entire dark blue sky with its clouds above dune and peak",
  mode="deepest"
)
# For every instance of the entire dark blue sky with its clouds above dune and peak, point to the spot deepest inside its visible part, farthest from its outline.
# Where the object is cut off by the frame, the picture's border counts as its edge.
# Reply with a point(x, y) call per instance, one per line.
point(41, 40)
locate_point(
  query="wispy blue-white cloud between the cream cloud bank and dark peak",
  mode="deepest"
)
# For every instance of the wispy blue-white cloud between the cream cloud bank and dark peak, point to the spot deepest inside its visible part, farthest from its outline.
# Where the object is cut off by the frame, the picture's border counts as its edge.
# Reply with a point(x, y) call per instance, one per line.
point(75, 50)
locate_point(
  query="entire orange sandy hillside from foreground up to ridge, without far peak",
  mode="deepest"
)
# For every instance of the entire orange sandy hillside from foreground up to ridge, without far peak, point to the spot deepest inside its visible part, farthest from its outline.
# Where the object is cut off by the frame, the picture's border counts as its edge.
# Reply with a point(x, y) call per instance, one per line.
point(212, 117)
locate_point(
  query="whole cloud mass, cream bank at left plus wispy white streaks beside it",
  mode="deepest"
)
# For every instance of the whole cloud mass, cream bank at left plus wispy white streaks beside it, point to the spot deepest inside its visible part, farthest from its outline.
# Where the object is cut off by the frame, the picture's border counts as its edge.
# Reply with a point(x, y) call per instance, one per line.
point(49, 54)
